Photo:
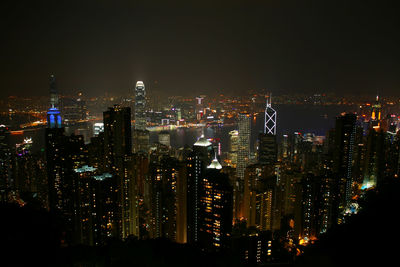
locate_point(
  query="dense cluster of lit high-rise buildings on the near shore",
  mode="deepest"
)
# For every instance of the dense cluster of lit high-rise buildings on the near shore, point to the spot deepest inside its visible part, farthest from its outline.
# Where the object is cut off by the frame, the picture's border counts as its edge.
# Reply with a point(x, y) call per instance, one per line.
point(118, 185)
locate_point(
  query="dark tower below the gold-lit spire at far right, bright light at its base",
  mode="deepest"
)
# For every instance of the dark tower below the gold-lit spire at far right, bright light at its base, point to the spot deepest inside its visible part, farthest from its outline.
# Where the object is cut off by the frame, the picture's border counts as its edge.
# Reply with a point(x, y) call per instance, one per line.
point(374, 161)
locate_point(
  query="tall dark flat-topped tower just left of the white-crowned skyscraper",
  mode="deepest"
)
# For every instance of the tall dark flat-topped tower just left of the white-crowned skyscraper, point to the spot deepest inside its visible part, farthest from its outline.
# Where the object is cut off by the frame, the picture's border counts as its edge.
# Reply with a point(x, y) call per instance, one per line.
point(118, 162)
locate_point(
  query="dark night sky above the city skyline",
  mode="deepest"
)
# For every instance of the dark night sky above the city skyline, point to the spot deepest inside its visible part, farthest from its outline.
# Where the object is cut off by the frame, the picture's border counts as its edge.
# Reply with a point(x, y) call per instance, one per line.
point(200, 46)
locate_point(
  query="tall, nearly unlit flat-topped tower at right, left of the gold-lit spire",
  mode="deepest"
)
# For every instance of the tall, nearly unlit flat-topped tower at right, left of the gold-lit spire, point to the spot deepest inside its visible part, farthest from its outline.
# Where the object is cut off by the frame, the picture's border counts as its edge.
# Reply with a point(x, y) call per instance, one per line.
point(345, 133)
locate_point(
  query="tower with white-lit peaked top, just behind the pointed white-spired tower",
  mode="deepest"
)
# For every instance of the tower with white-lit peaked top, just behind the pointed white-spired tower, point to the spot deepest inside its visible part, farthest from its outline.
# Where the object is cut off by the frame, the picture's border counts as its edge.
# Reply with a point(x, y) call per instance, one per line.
point(197, 162)
